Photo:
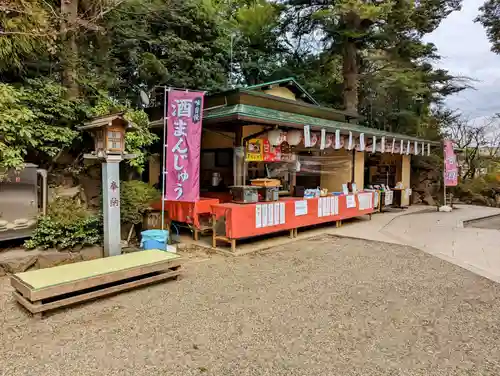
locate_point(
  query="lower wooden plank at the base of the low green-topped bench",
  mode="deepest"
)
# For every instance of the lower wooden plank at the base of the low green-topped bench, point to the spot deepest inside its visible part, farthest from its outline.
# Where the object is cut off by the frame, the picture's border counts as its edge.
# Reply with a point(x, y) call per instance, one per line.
point(38, 307)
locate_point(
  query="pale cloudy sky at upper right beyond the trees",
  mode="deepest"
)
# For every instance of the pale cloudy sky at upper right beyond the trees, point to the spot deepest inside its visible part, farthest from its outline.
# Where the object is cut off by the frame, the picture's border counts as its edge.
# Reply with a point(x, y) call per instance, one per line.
point(465, 51)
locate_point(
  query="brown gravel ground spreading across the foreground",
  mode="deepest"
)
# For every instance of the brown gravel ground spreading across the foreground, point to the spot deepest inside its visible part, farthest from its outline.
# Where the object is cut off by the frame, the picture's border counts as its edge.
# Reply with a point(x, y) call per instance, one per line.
point(326, 306)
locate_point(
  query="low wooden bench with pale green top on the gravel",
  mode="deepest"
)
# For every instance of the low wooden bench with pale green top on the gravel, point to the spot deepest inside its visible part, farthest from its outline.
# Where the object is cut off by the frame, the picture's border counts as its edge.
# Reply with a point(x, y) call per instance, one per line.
point(45, 289)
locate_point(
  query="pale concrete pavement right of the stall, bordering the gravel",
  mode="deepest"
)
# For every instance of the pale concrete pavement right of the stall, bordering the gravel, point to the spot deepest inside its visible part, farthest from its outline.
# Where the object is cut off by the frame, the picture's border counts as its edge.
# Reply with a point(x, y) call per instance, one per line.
point(440, 234)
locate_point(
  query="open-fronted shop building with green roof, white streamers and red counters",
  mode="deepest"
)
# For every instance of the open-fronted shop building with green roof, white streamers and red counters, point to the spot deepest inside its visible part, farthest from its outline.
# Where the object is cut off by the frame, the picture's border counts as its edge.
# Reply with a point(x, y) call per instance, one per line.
point(272, 160)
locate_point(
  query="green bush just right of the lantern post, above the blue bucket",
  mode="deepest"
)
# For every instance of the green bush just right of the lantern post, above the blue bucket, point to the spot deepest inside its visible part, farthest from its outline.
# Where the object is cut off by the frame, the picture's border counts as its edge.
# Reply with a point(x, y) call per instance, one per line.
point(135, 198)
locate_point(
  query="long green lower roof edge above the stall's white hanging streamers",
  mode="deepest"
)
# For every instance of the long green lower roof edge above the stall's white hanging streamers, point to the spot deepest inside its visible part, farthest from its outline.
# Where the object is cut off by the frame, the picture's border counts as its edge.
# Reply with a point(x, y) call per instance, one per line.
point(287, 118)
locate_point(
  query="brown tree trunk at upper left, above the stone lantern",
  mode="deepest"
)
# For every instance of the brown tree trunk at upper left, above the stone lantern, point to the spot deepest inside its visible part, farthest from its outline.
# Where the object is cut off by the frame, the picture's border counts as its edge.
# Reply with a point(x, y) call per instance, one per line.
point(69, 12)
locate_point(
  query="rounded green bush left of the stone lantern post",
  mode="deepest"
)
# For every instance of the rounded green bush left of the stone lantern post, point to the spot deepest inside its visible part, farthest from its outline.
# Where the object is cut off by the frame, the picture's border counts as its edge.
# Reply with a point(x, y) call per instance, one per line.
point(67, 225)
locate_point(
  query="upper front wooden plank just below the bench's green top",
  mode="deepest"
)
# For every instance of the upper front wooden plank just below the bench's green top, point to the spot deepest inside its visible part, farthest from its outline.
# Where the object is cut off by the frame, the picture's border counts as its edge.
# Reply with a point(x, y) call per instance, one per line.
point(82, 284)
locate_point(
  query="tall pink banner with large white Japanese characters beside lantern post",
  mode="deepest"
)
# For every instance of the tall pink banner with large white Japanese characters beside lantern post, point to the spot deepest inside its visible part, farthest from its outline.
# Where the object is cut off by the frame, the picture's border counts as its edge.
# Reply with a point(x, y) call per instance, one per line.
point(184, 118)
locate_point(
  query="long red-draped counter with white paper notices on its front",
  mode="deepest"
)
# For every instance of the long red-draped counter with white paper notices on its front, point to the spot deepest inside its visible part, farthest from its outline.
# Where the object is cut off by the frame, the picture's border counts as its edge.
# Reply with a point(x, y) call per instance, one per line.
point(233, 221)
